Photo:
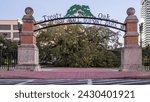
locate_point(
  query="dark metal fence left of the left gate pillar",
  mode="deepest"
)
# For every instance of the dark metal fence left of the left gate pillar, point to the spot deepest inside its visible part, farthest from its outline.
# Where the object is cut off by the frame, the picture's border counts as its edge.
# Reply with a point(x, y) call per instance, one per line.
point(8, 60)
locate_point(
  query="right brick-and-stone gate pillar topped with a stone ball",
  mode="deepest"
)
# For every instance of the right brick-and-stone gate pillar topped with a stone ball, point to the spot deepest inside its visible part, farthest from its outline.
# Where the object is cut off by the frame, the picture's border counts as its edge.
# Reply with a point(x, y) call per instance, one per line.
point(131, 54)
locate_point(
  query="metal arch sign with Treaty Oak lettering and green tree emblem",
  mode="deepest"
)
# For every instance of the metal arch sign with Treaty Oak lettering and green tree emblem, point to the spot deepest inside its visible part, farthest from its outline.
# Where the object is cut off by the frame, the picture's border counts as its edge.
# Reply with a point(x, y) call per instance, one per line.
point(79, 14)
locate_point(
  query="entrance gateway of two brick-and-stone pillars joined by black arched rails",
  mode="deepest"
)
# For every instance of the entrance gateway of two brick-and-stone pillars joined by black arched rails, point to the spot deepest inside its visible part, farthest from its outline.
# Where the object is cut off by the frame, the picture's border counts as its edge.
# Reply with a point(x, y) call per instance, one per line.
point(28, 53)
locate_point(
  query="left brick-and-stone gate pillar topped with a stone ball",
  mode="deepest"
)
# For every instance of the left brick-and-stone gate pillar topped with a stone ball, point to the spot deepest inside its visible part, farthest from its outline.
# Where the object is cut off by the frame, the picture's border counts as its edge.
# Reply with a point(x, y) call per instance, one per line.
point(28, 53)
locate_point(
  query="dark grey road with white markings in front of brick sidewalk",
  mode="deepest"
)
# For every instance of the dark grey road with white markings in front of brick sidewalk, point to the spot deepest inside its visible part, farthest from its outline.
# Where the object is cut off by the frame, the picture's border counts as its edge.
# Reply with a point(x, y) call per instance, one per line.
point(75, 82)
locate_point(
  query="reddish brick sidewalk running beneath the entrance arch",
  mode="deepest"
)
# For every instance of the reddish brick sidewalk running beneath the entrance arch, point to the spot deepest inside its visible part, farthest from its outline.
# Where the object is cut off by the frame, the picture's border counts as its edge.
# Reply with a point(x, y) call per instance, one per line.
point(75, 73)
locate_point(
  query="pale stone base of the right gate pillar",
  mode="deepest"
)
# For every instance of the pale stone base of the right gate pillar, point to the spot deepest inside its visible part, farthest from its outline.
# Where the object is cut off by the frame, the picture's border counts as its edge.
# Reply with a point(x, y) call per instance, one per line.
point(131, 59)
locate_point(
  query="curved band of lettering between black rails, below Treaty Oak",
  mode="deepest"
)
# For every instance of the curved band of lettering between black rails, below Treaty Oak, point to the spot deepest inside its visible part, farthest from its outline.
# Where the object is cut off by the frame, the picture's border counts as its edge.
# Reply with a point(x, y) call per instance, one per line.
point(80, 20)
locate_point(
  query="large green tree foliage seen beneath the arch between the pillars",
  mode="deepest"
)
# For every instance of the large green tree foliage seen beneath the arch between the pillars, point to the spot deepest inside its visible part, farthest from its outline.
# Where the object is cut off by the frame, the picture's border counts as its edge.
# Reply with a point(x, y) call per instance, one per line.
point(78, 46)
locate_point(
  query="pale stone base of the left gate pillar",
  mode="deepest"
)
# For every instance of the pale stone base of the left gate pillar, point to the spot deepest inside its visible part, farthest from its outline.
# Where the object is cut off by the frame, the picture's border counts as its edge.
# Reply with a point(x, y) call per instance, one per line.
point(28, 57)
